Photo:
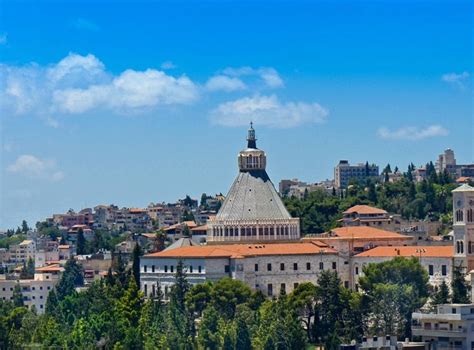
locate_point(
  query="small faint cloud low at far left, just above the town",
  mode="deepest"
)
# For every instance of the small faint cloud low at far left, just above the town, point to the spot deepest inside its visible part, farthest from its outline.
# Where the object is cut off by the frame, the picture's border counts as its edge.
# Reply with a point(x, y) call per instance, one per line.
point(34, 167)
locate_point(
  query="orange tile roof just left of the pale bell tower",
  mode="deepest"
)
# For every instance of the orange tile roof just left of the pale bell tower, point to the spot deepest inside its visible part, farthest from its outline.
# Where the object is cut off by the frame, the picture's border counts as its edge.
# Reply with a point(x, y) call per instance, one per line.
point(408, 251)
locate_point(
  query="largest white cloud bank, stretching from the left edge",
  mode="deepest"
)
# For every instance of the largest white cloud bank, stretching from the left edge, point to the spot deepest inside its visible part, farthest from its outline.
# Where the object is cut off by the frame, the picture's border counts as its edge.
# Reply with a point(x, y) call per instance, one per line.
point(78, 84)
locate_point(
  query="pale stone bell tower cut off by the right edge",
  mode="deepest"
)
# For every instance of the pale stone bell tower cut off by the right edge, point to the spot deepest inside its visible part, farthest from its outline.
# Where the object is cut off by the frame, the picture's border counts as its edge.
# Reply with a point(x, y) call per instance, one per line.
point(463, 226)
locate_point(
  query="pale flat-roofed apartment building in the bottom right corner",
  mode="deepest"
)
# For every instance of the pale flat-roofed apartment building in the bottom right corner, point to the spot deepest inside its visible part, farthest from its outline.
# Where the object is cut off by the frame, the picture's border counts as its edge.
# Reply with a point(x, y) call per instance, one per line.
point(451, 326)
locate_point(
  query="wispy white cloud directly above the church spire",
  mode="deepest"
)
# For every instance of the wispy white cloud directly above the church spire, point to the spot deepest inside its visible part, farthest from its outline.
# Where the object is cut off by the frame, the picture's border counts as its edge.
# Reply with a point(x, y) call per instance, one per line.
point(269, 111)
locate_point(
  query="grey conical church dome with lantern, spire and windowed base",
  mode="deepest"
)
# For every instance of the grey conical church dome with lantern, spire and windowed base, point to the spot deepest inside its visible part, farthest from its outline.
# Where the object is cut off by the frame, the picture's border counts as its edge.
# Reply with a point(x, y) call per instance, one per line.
point(252, 211)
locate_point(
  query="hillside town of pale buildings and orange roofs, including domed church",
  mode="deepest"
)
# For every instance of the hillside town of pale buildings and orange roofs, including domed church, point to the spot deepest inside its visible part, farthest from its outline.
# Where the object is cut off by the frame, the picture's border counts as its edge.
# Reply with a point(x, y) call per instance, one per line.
point(249, 235)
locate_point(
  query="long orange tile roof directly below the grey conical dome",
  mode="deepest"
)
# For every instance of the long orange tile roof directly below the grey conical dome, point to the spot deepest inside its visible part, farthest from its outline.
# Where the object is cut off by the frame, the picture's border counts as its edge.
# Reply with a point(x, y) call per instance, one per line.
point(244, 250)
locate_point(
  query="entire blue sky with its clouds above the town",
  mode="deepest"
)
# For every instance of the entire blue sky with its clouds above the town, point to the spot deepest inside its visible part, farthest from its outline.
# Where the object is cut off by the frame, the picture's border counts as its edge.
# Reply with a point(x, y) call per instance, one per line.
point(147, 101)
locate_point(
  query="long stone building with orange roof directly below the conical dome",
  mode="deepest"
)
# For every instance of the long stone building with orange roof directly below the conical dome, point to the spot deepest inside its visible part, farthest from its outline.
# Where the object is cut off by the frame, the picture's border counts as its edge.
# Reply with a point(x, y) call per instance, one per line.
point(266, 267)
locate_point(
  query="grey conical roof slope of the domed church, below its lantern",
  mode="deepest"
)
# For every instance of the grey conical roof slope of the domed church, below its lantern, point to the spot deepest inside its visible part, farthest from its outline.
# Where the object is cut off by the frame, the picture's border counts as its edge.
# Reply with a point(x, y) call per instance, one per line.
point(252, 197)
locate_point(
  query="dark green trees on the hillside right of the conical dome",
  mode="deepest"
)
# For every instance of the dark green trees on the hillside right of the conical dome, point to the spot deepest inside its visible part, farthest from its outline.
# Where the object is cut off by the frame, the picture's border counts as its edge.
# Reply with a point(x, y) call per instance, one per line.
point(429, 199)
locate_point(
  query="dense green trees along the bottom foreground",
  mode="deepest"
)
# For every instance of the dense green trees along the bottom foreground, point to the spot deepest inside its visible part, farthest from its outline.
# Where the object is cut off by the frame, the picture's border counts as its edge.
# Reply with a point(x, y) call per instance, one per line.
point(113, 313)
